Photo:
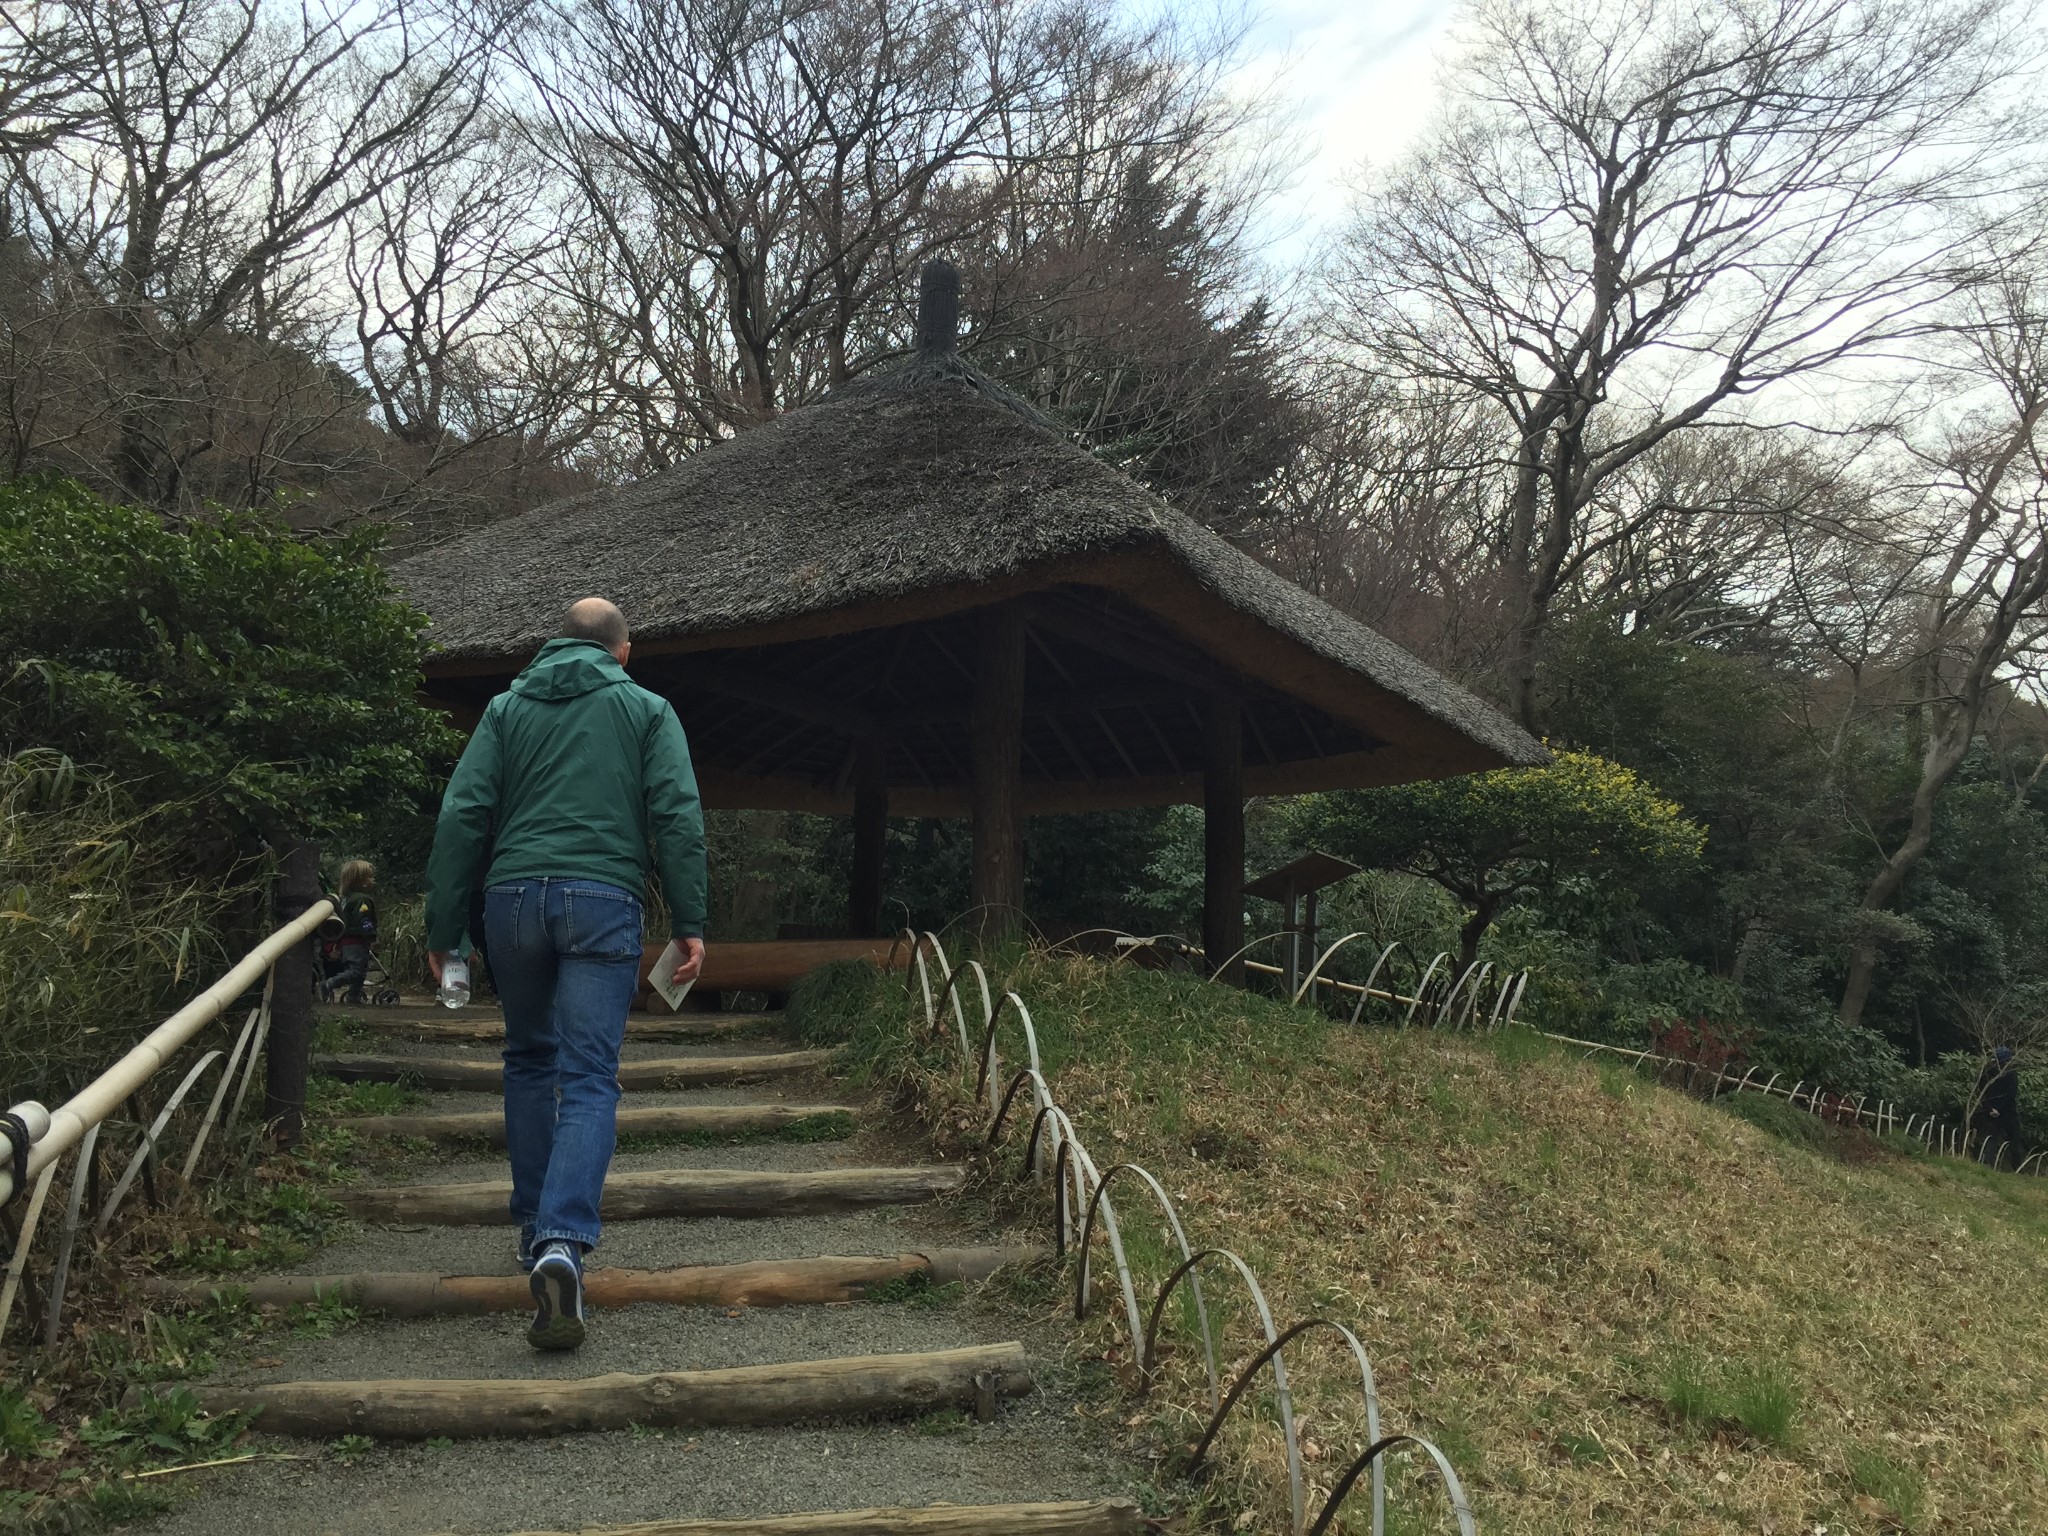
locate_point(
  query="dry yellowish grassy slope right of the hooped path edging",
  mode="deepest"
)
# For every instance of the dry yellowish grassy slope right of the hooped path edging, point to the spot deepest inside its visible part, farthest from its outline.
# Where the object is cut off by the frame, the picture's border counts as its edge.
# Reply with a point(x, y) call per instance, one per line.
point(1578, 1283)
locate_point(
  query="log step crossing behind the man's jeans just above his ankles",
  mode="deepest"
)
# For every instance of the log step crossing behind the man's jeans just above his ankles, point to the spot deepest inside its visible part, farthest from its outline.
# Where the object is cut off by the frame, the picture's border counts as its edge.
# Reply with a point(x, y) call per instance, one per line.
point(667, 1193)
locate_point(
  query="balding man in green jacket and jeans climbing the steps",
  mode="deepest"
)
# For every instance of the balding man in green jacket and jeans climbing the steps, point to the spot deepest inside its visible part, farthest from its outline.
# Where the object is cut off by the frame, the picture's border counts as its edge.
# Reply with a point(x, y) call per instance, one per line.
point(583, 783)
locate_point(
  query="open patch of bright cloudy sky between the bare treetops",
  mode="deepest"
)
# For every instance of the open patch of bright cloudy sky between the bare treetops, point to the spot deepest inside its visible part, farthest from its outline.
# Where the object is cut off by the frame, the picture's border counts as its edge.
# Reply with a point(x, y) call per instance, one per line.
point(1357, 79)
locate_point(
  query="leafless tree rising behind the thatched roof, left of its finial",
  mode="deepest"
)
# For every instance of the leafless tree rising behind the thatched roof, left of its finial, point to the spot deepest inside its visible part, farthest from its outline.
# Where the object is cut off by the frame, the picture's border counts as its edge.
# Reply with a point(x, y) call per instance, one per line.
point(757, 177)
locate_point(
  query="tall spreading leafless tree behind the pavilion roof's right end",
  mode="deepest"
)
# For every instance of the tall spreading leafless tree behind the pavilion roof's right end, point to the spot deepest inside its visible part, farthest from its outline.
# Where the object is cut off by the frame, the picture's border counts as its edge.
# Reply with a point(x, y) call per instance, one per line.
point(1635, 218)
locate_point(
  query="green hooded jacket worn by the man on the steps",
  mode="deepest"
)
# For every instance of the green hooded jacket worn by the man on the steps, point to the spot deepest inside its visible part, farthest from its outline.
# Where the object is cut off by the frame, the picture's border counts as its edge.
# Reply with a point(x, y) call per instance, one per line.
point(581, 773)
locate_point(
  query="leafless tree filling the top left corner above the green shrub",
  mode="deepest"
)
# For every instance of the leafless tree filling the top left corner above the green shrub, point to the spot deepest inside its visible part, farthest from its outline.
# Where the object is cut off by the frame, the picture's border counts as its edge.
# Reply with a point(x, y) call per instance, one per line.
point(210, 148)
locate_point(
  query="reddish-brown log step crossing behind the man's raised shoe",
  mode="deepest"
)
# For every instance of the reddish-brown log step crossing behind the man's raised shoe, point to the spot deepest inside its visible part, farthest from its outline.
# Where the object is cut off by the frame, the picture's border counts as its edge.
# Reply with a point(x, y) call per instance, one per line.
point(761, 1283)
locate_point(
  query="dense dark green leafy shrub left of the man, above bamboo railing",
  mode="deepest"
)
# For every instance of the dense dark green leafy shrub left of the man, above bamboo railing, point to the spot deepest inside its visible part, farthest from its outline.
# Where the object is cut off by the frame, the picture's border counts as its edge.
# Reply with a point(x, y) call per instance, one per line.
point(241, 679)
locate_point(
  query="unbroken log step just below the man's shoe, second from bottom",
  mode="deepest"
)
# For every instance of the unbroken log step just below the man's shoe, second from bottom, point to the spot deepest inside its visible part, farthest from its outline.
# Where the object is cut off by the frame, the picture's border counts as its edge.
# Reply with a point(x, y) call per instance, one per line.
point(861, 1388)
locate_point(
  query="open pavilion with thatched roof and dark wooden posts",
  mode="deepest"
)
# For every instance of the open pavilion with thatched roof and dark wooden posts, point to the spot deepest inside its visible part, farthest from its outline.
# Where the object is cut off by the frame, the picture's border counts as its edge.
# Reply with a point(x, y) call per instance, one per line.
point(919, 597)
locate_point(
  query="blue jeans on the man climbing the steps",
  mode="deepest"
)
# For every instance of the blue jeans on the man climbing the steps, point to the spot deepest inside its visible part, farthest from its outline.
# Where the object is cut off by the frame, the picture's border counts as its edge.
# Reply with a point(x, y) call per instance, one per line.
point(566, 964)
